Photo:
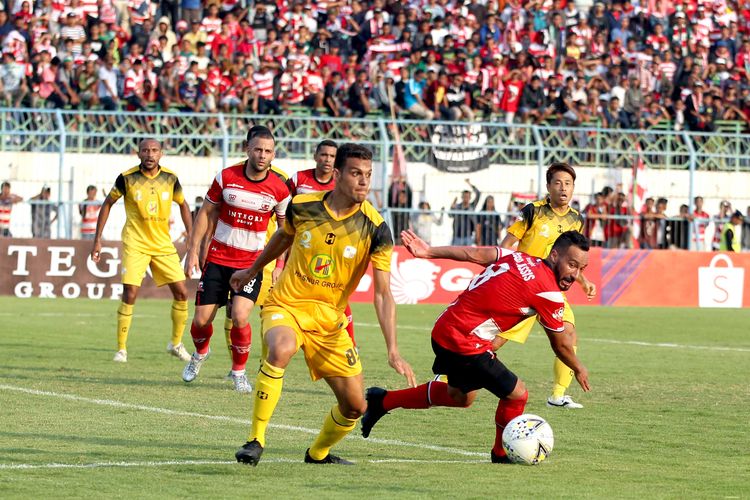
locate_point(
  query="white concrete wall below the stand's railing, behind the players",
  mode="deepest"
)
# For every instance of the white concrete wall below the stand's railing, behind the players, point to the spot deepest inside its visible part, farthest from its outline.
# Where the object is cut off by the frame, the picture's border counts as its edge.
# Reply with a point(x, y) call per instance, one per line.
point(29, 171)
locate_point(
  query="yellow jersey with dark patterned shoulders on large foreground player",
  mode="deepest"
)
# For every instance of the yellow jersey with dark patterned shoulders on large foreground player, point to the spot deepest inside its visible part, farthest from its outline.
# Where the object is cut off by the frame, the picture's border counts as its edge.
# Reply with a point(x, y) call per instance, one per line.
point(327, 259)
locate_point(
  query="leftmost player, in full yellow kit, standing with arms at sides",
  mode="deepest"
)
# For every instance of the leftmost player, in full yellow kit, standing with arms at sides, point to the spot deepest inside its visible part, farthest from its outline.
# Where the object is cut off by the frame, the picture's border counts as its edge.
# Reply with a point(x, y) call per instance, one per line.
point(149, 190)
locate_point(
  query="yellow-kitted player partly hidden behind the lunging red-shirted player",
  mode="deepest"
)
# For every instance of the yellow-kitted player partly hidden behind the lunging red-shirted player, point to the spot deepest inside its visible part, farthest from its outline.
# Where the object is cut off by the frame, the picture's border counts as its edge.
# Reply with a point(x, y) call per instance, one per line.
point(535, 231)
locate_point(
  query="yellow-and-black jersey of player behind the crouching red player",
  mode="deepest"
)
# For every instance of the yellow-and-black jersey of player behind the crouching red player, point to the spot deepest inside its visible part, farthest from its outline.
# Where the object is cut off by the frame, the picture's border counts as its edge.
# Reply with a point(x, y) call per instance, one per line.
point(538, 226)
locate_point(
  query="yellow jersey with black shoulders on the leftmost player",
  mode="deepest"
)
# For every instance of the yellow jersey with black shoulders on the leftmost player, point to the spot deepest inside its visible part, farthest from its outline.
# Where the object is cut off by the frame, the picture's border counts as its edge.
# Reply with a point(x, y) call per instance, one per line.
point(148, 204)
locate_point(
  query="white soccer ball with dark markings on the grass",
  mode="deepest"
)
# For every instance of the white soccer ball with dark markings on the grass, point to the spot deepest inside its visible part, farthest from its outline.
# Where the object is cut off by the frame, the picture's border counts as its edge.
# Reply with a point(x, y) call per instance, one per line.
point(527, 439)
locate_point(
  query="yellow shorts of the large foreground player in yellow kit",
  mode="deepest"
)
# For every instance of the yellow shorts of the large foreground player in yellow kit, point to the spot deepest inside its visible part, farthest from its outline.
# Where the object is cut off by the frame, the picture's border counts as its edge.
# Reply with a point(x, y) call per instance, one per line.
point(328, 354)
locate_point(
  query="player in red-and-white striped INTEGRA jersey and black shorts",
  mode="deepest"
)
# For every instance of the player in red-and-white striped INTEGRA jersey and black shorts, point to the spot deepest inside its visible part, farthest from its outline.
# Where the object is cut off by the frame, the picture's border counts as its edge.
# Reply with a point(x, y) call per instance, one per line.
point(239, 205)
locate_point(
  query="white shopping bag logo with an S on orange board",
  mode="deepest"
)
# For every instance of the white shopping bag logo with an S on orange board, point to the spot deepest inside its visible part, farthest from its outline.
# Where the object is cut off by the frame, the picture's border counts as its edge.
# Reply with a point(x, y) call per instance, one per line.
point(720, 286)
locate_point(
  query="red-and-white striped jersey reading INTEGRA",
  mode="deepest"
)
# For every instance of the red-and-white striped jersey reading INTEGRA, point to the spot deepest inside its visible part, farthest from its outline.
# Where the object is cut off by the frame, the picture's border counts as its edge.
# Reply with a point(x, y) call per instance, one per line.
point(245, 209)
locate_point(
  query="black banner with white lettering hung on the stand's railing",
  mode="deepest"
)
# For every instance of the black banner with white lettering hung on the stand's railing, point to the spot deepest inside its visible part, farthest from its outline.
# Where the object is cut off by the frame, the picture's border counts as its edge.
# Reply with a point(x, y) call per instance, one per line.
point(459, 148)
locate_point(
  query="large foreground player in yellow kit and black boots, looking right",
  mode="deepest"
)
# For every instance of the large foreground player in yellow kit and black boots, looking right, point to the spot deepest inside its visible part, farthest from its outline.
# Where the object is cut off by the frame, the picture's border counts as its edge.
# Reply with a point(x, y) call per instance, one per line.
point(332, 237)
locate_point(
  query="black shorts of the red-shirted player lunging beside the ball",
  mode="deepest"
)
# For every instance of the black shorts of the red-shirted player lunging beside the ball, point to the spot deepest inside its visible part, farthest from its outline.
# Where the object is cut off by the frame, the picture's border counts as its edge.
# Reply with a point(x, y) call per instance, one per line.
point(478, 371)
